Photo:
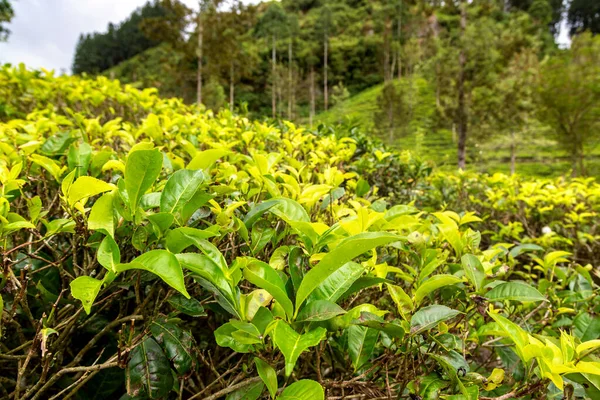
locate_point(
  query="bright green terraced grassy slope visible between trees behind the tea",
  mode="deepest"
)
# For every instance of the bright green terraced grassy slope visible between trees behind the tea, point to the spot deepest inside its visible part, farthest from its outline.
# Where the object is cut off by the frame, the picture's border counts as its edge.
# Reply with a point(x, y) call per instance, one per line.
point(536, 157)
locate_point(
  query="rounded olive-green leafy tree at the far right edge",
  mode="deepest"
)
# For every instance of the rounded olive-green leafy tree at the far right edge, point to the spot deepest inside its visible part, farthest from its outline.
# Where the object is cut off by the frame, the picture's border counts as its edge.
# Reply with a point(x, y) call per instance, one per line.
point(569, 94)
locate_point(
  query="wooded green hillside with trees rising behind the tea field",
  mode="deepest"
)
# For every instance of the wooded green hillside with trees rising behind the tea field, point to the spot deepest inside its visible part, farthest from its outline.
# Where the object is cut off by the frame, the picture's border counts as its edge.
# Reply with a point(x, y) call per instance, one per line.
point(481, 83)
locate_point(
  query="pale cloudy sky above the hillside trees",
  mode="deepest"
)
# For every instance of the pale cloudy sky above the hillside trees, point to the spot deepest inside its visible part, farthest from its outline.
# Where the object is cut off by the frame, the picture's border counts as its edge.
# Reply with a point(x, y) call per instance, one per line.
point(45, 32)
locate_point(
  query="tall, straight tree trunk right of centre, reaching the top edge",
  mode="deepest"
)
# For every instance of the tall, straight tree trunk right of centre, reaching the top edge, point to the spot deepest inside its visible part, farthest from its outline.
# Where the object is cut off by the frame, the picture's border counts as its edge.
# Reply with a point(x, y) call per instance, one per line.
point(462, 111)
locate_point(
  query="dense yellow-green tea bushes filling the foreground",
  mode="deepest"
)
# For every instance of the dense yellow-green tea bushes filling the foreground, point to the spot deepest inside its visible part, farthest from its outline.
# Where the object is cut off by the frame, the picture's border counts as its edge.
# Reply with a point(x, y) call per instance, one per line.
point(154, 251)
